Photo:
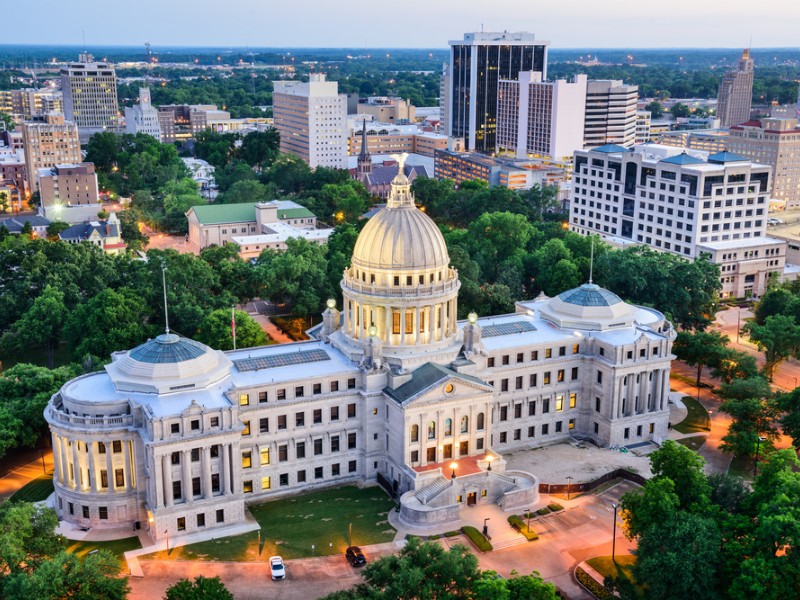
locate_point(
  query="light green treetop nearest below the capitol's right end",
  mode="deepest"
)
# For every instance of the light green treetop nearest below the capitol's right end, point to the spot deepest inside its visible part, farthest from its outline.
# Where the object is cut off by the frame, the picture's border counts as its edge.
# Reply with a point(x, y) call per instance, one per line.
point(685, 468)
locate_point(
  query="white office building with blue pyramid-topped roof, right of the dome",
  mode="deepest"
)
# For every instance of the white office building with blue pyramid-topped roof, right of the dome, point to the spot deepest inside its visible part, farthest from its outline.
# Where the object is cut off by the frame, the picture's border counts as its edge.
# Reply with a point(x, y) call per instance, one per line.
point(687, 202)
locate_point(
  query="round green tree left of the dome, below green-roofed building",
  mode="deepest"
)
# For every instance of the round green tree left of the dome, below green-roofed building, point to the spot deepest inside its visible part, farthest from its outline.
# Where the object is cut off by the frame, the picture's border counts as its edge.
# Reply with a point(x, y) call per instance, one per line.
point(297, 276)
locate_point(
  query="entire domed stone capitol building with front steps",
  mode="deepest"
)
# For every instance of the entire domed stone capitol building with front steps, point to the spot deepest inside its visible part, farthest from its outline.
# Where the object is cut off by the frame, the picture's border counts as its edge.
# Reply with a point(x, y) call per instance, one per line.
point(176, 437)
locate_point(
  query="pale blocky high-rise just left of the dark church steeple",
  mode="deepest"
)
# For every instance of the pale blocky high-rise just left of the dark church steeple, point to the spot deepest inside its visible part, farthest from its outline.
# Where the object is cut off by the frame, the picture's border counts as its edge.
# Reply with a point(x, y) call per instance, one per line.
point(312, 120)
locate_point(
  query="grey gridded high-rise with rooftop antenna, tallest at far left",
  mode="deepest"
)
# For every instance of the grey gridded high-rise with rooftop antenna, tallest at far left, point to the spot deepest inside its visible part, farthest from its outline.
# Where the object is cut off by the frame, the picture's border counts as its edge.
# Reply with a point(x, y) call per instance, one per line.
point(90, 95)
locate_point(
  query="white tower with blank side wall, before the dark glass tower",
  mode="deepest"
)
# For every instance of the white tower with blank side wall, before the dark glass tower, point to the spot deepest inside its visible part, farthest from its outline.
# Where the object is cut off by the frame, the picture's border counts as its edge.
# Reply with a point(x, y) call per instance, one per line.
point(543, 119)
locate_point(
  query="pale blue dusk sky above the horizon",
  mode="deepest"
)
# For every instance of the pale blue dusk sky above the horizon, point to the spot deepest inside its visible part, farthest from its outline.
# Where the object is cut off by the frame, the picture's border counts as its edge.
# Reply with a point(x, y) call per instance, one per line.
point(410, 23)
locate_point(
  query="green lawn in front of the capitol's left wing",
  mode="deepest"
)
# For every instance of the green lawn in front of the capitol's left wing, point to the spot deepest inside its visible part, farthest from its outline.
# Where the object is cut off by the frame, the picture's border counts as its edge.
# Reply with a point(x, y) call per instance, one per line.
point(290, 526)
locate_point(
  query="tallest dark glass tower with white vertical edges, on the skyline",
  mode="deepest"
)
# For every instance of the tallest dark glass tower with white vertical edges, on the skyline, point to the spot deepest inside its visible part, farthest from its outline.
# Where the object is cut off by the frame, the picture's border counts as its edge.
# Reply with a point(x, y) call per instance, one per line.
point(477, 64)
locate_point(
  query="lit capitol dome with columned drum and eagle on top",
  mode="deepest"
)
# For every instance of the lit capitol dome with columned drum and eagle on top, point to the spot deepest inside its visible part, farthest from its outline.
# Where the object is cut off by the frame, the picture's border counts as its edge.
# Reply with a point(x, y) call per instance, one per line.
point(400, 279)
